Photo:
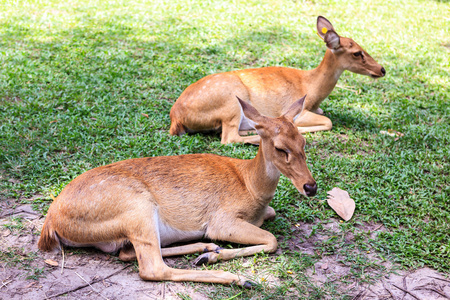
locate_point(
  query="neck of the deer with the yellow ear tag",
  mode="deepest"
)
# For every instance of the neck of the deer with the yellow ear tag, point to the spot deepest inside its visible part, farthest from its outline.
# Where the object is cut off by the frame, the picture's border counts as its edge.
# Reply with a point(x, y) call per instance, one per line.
point(322, 80)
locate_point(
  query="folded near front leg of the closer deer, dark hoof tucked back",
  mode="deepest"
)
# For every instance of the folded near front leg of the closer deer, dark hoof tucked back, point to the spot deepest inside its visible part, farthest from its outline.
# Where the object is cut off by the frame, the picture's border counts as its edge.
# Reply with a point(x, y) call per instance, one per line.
point(240, 232)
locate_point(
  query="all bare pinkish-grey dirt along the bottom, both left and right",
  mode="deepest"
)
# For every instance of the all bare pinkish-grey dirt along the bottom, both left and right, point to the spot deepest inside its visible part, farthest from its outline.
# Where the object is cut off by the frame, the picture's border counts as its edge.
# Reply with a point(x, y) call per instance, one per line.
point(24, 274)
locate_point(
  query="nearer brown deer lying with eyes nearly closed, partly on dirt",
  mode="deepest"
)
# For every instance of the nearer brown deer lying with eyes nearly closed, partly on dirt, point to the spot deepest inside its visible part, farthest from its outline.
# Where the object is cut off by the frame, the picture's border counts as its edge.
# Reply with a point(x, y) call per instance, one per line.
point(139, 206)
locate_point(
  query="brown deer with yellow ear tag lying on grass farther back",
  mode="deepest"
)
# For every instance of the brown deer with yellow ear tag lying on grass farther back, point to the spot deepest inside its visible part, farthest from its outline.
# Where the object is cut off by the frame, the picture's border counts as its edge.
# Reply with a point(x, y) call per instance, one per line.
point(209, 104)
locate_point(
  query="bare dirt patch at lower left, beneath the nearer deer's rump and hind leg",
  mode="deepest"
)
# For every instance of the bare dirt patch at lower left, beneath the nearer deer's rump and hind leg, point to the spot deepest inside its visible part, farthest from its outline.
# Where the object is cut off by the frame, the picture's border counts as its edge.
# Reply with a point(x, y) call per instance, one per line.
point(25, 275)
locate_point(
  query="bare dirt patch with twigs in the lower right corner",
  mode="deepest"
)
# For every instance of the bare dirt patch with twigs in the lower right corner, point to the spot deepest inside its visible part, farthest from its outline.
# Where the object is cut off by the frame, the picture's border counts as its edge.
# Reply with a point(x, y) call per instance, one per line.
point(386, 281)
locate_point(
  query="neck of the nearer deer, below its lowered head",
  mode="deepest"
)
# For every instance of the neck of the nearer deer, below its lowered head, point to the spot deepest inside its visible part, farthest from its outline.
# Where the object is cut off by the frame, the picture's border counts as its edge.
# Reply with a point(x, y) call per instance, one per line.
point(261, 177)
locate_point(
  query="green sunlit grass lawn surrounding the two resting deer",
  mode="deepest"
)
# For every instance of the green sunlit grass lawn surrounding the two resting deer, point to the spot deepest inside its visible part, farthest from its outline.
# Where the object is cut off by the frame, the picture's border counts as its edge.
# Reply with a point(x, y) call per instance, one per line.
point(78, 80)
